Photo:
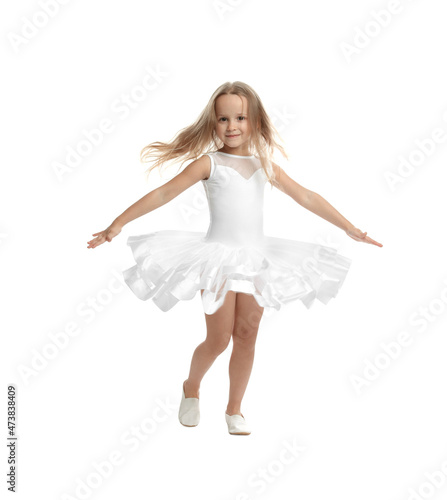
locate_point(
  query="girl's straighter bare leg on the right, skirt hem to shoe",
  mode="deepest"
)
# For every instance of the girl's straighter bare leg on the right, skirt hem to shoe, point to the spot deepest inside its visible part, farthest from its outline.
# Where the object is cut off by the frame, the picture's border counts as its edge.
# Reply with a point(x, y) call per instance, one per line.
point(248, 315)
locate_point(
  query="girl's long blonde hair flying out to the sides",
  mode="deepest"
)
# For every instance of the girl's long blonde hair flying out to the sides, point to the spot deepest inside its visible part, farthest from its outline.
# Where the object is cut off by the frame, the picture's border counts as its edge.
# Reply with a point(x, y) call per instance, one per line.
point(200, 137)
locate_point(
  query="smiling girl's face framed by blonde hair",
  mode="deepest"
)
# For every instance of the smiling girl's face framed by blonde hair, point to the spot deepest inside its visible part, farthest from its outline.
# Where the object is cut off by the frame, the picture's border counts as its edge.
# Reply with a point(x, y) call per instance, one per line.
point(232, 126)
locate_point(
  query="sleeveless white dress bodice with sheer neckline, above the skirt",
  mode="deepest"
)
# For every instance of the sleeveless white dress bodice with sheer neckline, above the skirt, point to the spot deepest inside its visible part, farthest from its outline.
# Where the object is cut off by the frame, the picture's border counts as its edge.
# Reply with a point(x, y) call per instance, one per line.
point(235, 194)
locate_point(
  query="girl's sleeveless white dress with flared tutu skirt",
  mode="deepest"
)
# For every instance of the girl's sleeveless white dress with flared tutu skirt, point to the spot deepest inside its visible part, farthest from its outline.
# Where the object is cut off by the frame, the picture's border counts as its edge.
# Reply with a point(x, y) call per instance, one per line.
point(234, 254)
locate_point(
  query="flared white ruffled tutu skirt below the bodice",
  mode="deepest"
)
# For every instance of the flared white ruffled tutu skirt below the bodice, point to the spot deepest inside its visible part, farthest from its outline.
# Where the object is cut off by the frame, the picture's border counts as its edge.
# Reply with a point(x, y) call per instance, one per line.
point(173, 265)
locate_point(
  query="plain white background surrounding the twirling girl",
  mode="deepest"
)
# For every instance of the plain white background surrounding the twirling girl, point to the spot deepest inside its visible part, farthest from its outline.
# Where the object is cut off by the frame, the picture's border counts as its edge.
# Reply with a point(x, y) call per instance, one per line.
point(346, 122)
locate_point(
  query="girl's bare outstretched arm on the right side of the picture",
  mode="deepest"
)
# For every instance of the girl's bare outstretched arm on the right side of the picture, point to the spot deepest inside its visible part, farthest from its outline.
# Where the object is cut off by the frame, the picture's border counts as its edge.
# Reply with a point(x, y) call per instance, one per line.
point(318, 205)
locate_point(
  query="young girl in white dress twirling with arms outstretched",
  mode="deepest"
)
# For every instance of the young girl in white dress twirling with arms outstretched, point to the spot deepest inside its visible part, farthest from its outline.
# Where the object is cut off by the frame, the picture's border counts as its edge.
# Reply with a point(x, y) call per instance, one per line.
point(238, 270)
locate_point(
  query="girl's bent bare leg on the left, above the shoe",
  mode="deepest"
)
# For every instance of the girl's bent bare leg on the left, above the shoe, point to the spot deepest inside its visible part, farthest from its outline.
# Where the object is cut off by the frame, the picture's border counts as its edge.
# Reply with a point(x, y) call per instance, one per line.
point(219, 327)
